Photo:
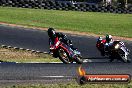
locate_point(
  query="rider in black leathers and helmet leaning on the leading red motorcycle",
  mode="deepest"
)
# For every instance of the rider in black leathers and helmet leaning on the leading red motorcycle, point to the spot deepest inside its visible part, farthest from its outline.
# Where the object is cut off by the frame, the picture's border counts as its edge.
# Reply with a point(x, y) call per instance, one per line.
point(53, 35)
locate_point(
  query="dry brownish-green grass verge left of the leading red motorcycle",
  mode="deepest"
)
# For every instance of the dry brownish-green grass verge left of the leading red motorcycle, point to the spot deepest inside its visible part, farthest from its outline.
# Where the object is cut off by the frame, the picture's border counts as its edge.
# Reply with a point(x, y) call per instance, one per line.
point(11, 55)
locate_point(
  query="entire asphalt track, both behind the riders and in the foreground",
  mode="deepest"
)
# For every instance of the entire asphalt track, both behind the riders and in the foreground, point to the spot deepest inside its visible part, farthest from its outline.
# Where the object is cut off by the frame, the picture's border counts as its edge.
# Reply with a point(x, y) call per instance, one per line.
point(38, 40)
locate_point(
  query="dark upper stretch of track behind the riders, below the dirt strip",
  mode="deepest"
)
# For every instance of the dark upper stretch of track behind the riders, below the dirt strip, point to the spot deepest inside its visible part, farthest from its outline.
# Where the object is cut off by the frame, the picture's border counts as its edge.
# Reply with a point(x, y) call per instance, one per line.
point(38, 40)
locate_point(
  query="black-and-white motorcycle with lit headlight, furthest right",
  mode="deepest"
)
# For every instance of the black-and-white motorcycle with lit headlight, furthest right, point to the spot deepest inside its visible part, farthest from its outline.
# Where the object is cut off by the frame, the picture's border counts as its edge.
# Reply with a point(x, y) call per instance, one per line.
point(118, 50)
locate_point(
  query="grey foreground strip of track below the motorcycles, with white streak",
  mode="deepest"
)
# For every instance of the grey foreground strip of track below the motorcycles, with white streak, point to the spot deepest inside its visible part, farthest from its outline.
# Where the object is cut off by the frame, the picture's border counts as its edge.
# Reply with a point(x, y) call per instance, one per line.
point(55, 73)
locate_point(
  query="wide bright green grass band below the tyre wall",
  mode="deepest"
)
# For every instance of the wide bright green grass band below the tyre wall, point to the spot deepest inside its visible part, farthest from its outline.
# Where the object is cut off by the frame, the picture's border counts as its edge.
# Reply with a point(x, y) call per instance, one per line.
point(98, 23)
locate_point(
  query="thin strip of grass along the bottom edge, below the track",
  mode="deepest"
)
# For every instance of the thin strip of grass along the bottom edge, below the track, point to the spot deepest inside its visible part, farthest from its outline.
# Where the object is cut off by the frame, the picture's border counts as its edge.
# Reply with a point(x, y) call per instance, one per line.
point(72, 85)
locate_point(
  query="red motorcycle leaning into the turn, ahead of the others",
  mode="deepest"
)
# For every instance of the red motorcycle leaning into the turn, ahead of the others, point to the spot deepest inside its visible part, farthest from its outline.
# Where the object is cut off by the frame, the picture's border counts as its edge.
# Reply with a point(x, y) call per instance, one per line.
point(65, 53)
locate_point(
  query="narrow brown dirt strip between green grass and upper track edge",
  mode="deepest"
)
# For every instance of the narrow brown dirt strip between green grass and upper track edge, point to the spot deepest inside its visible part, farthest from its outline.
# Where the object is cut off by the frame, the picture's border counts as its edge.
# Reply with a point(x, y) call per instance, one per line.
point(66, 31)
